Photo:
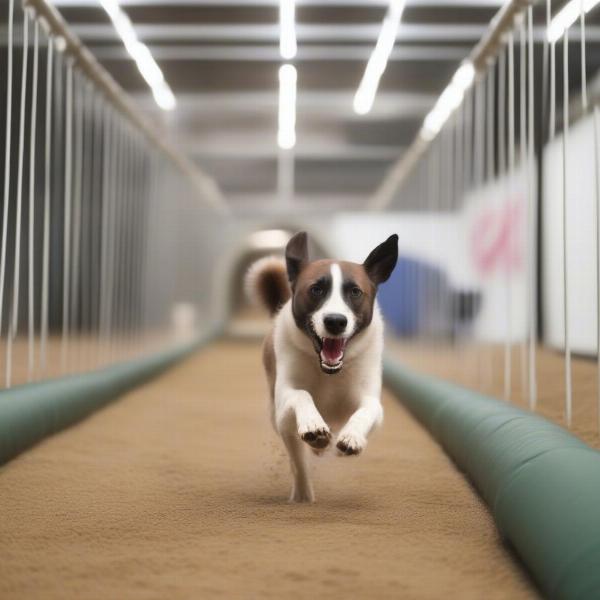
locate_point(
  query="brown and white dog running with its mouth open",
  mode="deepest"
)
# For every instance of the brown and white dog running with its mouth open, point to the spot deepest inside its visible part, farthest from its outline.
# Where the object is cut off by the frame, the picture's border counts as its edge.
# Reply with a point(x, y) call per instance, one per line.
point(326, 323)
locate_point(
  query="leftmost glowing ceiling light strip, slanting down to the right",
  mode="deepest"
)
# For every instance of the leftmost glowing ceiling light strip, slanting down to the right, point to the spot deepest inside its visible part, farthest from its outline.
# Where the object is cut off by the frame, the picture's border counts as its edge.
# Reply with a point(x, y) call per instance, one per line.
point(139, 52)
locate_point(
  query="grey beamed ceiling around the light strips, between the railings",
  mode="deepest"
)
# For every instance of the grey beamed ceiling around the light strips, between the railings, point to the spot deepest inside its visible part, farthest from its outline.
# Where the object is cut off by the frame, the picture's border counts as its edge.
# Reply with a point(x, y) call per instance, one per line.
point(221, 59)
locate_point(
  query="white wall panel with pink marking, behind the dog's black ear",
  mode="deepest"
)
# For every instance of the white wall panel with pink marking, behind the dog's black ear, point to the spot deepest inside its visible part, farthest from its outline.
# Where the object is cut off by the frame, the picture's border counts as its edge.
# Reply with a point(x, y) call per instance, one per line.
point(454, 242)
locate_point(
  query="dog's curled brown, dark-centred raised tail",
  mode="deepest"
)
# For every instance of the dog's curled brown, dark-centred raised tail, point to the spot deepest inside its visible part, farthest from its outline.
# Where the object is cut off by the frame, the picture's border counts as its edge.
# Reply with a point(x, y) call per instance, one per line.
point(267, 283)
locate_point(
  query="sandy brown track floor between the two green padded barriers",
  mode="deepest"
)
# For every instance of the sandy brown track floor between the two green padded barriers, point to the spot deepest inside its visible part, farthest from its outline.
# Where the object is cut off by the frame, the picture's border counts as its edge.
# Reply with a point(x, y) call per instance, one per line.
point(179, 491)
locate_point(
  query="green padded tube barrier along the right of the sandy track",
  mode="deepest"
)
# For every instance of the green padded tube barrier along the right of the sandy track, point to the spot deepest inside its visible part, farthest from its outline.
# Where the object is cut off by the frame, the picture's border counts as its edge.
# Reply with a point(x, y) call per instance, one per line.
point(541, 483)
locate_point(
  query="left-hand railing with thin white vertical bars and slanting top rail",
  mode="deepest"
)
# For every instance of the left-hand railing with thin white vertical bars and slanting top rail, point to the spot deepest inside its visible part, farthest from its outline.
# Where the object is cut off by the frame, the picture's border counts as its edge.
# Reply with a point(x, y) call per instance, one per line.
point(102, 218)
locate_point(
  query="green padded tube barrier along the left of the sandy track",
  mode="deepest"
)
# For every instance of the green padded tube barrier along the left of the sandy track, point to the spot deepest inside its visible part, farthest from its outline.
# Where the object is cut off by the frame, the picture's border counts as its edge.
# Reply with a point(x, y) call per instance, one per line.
point(29, 413)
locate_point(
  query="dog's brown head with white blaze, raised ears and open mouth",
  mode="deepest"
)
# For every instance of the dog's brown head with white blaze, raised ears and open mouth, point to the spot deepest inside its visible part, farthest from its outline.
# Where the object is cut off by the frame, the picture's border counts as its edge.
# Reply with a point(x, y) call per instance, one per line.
point(332, 301)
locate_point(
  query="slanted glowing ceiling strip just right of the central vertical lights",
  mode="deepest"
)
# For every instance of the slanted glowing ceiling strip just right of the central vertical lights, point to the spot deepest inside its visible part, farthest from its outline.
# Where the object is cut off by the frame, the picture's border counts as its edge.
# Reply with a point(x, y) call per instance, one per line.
point(365, 94)
